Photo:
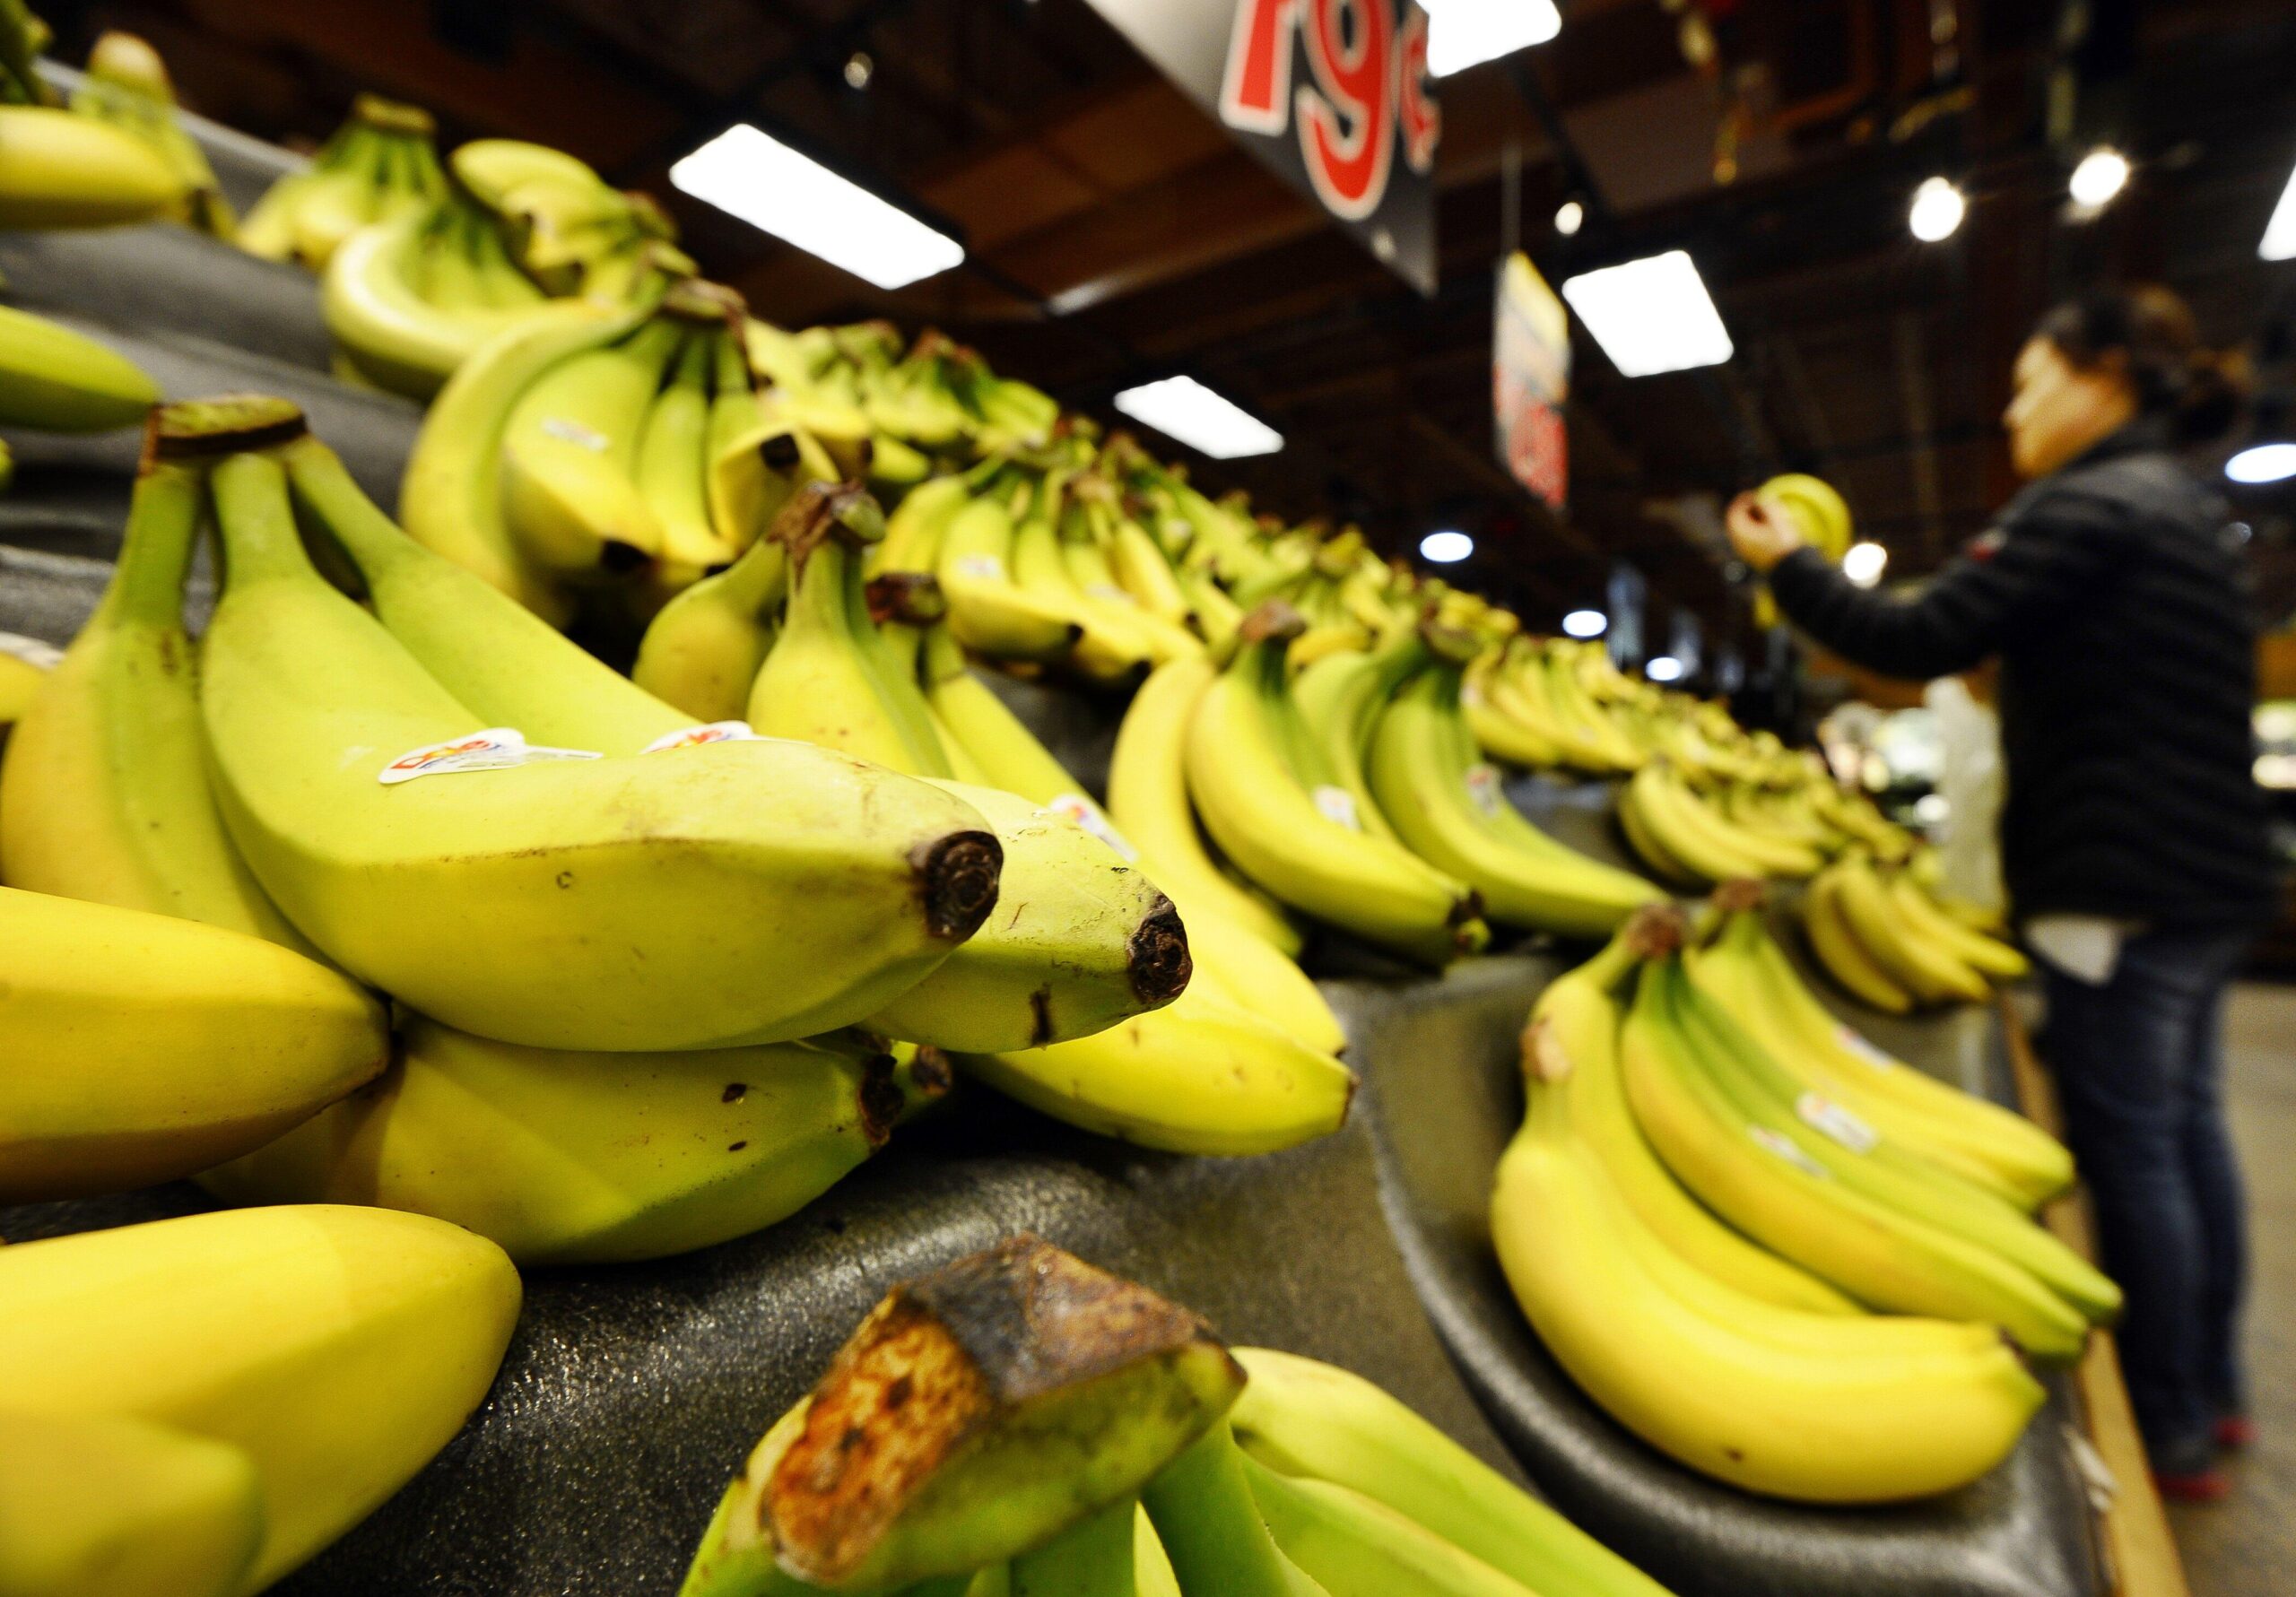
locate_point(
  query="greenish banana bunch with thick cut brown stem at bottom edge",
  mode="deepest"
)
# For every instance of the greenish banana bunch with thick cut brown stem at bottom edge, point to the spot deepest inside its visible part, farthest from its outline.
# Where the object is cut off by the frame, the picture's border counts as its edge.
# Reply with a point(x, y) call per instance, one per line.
point(1117, 1449)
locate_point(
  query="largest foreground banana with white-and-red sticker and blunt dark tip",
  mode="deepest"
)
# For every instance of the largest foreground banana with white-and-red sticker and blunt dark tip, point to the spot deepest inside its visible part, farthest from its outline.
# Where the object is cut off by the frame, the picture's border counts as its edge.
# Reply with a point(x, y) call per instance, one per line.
point(552, 903)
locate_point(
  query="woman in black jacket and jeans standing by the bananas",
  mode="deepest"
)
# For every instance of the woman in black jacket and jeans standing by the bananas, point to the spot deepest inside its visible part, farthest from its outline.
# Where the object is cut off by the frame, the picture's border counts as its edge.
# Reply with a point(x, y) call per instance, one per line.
point(2134, 836)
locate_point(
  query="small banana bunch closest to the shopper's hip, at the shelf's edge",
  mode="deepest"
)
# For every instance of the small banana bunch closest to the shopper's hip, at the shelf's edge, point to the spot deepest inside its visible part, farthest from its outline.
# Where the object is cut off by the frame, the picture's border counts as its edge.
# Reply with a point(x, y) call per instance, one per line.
point(1882, 935)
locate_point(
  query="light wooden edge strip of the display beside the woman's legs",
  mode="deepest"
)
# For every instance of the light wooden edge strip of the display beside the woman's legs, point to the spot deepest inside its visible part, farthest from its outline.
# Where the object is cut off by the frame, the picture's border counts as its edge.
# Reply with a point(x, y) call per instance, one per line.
point(2139, 1545)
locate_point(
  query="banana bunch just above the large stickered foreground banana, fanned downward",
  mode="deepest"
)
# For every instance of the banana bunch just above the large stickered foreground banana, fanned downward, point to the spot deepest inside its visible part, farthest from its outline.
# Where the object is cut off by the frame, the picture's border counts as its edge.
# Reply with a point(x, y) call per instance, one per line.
point(612, 458)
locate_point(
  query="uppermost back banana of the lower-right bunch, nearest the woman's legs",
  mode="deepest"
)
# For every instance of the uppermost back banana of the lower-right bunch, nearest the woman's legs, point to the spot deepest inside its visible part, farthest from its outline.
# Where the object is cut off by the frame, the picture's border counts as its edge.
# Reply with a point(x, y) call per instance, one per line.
point(1751, 976)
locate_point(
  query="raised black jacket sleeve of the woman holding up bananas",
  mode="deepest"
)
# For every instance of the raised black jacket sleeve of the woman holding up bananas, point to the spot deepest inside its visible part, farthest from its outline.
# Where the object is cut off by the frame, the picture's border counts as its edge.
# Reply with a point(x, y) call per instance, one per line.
point(2012, 584)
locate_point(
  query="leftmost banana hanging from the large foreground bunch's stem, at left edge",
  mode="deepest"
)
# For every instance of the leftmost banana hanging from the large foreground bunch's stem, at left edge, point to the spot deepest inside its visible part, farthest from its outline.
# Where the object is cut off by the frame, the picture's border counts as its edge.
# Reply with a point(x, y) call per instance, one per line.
point(104, 793)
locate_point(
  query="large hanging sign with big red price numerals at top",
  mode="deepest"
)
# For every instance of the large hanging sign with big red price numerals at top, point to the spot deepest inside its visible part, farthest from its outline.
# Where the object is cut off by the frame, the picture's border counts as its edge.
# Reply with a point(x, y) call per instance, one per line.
point(1333, 95)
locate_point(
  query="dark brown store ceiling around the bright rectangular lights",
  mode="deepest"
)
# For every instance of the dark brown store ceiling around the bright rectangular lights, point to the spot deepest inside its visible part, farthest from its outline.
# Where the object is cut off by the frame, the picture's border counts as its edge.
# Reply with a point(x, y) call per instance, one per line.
point(1115, 233)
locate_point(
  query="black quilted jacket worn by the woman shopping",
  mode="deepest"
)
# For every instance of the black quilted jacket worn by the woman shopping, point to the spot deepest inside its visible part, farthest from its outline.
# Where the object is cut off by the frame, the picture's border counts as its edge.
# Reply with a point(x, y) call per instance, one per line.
point(2118, 602)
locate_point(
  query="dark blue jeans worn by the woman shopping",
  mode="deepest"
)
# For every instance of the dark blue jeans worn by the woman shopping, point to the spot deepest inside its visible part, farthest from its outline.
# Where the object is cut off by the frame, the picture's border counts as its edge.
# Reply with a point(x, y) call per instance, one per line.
point(2139, 1066)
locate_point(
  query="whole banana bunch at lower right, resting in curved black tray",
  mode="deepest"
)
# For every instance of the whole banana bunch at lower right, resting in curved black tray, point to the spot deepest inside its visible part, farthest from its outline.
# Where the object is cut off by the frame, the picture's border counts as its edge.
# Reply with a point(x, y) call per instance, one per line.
point(1691, 1176)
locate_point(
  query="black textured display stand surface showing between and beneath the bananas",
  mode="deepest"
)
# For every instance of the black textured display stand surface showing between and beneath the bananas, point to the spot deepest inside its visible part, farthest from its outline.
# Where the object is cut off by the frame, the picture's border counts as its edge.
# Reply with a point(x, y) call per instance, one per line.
point(633, 1394)
